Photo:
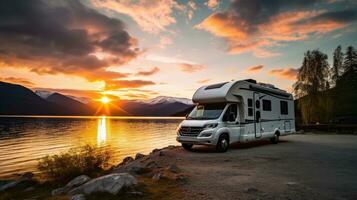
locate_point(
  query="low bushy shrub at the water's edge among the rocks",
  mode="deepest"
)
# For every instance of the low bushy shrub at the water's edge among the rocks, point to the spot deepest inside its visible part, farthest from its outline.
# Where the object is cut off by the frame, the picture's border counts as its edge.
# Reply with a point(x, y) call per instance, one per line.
point(87, 160)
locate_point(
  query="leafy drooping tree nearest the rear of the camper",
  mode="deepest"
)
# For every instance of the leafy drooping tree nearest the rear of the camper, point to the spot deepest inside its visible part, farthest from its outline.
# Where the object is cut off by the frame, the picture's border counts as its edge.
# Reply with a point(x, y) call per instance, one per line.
point(311, 84)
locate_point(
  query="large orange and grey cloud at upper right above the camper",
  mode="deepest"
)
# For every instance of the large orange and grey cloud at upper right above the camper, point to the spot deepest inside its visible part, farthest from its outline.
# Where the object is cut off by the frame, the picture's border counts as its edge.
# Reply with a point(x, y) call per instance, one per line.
point(255, 25)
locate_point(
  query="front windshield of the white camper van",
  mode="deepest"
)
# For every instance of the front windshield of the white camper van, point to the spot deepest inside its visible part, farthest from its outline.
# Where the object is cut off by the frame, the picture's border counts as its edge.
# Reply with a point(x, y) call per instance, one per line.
point(207, 111)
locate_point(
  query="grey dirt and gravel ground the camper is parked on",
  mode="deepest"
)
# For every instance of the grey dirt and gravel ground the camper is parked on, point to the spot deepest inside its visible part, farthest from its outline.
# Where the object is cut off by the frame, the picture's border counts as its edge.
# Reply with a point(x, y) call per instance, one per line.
point(300, 167)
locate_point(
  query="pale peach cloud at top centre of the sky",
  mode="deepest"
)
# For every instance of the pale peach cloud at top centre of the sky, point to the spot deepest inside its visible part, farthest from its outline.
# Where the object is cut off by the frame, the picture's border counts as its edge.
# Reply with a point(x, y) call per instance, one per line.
point(151, 16)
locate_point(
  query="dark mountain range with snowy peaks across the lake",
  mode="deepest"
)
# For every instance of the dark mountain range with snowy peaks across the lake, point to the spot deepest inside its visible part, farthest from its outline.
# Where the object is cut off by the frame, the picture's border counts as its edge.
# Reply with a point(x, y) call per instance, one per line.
point(19, 100)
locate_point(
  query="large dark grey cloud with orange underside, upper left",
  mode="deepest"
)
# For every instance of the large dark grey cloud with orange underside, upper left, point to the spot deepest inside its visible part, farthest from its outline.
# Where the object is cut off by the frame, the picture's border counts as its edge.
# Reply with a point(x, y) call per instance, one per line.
point(51, 37)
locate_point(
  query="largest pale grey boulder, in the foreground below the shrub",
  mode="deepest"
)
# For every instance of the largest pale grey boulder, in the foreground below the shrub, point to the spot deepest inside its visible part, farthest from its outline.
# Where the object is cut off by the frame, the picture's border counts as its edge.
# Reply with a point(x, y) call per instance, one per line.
point(111, 183)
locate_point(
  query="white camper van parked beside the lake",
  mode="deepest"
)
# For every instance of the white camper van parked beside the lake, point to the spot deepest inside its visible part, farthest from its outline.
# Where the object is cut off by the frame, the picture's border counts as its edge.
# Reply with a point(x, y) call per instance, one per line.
point(237, 111)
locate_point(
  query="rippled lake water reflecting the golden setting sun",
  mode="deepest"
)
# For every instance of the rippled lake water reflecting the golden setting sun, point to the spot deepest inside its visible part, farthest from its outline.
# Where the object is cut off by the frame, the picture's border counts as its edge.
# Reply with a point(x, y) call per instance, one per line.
point(23, 140)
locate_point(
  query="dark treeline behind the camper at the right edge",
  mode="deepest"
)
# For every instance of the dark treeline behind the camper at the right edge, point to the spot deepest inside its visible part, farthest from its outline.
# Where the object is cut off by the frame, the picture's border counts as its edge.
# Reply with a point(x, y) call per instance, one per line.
point(327, 94)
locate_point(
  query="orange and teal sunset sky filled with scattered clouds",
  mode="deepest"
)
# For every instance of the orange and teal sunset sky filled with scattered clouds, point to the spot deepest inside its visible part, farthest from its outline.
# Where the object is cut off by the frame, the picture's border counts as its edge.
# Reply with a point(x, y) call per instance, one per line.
point(143, 48)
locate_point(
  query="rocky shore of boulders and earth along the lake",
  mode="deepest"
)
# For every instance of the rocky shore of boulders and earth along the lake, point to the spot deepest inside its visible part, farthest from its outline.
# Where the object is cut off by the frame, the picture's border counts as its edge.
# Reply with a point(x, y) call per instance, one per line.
point(125, 179)
